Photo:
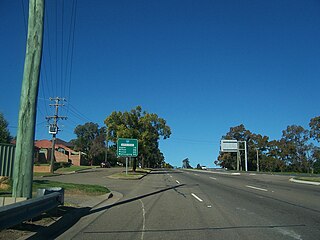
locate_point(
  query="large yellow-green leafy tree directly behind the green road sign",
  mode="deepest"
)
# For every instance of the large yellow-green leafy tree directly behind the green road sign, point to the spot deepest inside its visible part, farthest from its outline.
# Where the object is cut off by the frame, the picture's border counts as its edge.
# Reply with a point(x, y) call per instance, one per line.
point(148, 128)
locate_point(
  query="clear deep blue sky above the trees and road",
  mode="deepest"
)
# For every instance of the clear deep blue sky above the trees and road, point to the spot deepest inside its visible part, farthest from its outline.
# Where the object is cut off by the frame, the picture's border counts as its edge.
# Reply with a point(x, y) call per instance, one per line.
point(204, 66)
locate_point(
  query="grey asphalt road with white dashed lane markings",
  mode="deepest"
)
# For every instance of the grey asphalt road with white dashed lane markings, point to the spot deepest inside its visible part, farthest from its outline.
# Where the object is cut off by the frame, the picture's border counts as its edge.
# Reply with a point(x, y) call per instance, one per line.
point(205, 205)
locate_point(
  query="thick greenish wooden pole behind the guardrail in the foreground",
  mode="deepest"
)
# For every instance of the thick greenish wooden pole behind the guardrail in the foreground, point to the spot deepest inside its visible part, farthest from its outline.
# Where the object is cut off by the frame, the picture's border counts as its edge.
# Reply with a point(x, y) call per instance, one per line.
point(23, 162)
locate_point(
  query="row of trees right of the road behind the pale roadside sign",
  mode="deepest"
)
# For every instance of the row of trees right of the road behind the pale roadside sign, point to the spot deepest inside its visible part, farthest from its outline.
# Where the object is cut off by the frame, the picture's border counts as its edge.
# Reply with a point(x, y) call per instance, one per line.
point(296, 151)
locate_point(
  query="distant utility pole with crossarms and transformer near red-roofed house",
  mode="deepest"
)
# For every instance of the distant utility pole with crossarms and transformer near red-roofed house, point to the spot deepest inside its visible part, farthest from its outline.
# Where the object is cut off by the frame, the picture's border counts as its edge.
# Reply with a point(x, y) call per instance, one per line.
point(53, 127)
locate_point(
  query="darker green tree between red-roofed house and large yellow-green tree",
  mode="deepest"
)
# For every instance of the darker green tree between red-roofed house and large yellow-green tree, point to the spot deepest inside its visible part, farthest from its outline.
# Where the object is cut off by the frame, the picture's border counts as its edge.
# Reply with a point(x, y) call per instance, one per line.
point(90, 140)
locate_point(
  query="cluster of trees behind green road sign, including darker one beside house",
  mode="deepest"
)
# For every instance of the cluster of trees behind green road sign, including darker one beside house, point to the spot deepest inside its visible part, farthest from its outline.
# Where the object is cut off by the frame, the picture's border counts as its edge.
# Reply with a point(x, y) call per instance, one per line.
point(148, 128)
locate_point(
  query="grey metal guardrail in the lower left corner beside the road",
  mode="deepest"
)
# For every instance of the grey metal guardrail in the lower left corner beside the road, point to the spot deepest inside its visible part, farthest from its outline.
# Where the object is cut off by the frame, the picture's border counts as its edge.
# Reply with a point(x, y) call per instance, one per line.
point(16, 213)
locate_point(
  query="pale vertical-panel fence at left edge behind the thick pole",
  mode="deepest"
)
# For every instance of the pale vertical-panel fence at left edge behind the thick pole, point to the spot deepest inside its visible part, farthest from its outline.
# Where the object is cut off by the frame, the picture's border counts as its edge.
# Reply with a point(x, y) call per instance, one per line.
point(6, 159)
